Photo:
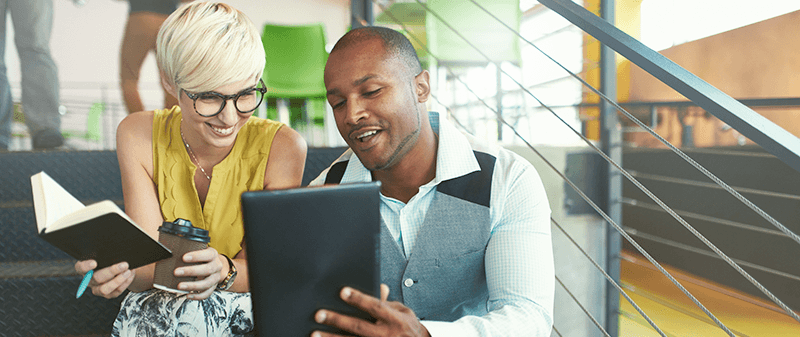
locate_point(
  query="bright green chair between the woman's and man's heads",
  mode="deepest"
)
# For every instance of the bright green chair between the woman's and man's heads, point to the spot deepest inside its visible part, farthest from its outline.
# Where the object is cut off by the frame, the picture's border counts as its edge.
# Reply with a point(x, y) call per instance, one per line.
point(296, 59)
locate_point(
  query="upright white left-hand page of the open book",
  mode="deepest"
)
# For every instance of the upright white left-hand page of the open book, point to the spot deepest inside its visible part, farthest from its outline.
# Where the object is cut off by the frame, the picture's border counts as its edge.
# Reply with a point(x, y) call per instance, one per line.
point(51, 201)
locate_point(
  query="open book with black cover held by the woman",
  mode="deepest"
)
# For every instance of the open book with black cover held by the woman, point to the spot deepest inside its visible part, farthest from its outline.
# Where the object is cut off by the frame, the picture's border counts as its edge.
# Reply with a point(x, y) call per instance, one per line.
point(100, 231)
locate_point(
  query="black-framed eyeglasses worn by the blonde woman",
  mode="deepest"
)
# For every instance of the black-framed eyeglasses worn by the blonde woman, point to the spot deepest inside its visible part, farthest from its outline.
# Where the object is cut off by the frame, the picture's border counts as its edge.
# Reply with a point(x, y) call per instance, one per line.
point(210, 104)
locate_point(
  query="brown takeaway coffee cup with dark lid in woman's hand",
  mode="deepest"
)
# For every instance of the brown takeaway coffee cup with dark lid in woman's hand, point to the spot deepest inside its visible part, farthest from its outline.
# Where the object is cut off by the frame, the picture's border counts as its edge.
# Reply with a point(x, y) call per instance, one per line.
point(180, 237)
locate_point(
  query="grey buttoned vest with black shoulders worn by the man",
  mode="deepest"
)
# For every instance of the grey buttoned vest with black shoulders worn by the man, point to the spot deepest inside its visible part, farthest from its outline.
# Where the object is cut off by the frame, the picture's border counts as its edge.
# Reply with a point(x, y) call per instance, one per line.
point(444, 279)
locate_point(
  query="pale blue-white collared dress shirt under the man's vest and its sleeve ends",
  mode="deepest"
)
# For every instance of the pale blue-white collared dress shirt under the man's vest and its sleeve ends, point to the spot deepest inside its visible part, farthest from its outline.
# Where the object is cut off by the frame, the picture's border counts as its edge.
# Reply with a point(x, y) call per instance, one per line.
point(519, 256)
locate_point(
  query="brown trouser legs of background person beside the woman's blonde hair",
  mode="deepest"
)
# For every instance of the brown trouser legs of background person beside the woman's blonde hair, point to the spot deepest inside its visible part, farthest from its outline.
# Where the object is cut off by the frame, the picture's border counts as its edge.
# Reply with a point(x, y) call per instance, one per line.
point(139, 39)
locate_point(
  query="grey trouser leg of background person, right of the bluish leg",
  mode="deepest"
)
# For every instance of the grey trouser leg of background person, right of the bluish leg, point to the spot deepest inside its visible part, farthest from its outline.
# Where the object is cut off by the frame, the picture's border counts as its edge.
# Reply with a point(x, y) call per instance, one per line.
point(33, 23)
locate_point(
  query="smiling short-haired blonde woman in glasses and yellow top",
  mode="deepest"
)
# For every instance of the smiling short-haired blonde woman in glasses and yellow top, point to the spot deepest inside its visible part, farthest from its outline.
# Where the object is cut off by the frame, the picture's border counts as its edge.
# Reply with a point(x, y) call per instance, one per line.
point(192, 162)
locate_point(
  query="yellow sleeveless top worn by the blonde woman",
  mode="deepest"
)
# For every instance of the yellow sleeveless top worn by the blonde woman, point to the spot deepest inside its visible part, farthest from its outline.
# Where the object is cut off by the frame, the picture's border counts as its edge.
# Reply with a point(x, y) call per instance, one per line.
point(242, 170)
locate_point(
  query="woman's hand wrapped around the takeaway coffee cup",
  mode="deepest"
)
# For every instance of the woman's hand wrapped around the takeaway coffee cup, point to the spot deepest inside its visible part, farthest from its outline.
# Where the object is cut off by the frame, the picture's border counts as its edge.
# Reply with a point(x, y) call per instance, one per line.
point(208, 272)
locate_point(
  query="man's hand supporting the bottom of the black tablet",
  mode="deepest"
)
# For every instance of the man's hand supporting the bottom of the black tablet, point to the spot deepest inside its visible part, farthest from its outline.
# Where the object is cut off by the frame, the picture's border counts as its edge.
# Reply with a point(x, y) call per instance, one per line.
point(393, 318)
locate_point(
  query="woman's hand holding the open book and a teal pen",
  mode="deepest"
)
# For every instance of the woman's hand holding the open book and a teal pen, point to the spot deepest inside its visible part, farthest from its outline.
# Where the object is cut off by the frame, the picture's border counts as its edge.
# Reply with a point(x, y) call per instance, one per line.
point(108, 282)
